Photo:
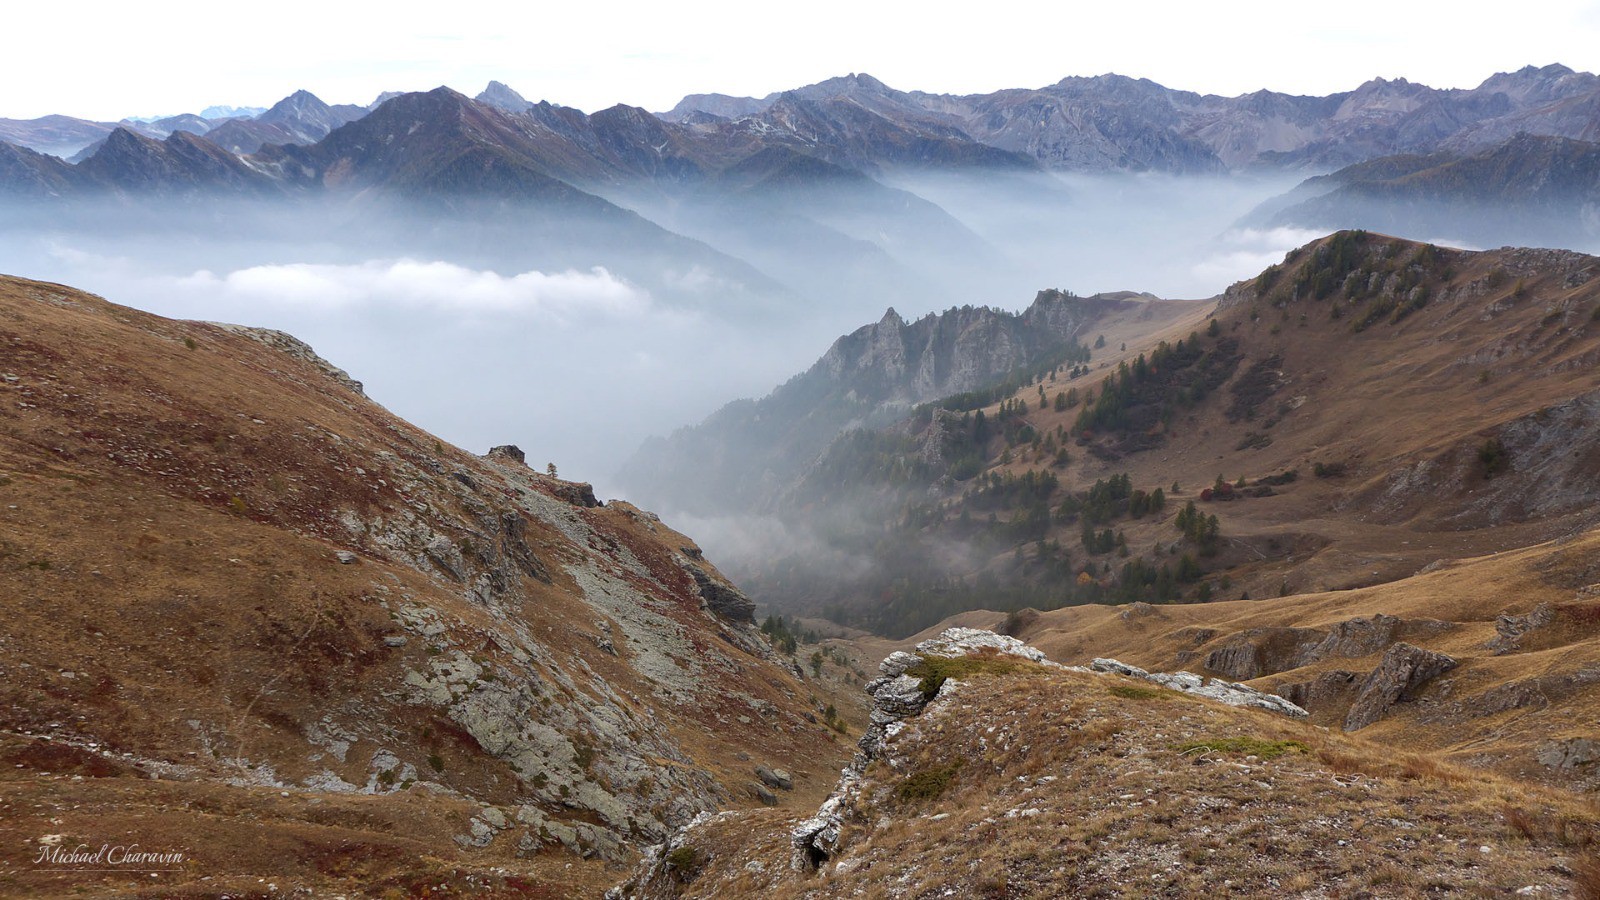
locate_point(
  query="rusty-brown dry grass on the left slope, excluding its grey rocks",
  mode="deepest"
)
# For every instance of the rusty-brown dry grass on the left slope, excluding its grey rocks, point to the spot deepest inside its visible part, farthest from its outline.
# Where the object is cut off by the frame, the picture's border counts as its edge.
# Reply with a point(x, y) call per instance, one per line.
point(174, 497)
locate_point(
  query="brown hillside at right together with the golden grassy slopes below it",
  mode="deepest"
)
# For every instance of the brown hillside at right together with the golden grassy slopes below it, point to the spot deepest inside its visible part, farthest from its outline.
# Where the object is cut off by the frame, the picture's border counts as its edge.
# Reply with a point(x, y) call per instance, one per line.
point(1420, 540)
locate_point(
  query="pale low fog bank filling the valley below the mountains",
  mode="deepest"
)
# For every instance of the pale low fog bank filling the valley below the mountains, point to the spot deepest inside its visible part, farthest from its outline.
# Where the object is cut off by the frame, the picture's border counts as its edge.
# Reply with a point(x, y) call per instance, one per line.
point(578, 340)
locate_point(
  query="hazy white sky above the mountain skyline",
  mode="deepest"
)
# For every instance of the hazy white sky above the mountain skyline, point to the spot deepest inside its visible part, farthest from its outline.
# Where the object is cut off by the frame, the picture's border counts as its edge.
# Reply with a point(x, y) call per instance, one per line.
point(102, 60)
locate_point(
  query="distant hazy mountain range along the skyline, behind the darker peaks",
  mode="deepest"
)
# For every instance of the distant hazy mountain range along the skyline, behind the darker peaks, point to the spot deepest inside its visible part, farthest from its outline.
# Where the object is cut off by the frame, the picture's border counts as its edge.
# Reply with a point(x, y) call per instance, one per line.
point(1079, 124)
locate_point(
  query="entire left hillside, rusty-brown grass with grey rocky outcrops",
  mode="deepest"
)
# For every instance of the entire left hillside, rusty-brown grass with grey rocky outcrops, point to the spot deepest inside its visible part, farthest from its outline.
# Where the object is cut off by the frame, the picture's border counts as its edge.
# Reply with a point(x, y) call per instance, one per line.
point(255, 619)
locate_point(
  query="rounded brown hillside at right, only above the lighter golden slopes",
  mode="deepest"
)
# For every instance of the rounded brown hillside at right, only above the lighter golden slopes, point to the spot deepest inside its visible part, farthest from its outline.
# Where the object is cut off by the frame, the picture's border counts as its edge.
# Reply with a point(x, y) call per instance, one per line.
point(1458, 353)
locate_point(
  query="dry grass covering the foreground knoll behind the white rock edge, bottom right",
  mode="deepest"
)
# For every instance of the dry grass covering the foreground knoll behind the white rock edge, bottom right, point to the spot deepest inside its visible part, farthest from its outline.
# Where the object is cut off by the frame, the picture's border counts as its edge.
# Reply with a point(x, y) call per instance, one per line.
point(1066, 790)
